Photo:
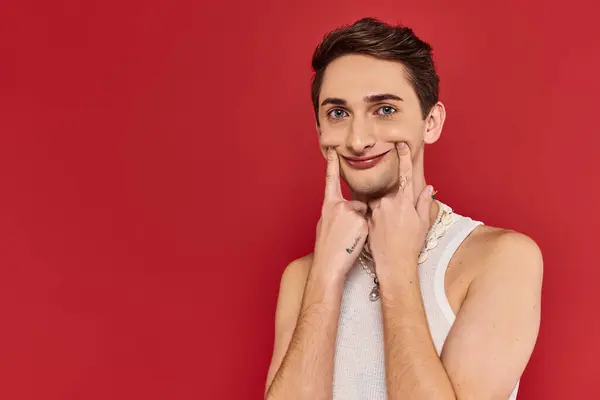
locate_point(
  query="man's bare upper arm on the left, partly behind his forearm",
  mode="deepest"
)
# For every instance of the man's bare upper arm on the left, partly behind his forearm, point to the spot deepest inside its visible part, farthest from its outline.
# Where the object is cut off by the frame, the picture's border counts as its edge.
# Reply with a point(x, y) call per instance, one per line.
point(289, 301)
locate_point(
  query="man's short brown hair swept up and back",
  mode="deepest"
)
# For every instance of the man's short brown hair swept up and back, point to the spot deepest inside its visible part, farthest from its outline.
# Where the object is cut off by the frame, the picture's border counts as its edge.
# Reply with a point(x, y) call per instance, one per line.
point(372, 37)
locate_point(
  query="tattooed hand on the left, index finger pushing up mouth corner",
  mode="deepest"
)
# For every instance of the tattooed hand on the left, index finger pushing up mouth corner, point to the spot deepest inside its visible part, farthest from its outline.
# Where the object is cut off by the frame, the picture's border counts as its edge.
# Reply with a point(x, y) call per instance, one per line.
point(342, 229)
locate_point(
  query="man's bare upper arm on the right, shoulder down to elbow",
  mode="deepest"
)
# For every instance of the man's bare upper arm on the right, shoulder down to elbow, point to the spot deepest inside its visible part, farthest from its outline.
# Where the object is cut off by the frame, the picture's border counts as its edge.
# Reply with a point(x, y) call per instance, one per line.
point(496, 328)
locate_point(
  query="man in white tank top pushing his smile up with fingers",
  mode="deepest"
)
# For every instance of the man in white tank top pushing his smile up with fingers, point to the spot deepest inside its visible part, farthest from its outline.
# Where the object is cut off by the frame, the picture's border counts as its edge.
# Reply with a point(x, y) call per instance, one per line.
point(402, 298)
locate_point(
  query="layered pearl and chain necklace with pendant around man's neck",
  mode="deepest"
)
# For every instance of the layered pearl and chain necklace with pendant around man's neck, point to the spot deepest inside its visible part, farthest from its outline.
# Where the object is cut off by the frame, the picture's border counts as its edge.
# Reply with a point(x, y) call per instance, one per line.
point(437, 230)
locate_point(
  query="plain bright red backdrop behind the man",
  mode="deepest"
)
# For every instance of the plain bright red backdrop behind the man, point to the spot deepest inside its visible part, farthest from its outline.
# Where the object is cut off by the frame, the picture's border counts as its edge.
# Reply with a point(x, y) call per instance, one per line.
point(159, 168)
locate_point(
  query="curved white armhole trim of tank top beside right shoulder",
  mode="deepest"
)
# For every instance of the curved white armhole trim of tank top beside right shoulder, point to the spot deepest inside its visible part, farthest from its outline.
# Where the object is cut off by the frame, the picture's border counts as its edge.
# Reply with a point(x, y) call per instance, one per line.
point(439, 286)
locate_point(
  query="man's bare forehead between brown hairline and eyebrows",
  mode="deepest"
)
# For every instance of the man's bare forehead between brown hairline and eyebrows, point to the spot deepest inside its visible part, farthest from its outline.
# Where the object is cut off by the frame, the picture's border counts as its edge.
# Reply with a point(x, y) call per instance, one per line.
point(351, 77)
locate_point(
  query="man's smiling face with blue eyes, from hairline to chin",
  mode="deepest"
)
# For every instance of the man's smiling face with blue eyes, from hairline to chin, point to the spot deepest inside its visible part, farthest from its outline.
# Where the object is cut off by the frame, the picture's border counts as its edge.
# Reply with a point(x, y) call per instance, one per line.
point(366, 105)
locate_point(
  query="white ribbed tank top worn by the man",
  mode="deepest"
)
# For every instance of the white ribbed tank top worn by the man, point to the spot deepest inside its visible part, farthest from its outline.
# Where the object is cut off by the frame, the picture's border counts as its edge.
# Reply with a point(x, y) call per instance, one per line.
point(359, 367)
